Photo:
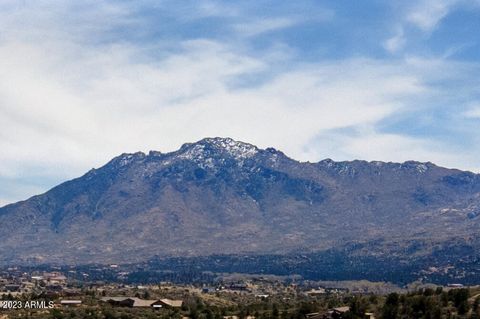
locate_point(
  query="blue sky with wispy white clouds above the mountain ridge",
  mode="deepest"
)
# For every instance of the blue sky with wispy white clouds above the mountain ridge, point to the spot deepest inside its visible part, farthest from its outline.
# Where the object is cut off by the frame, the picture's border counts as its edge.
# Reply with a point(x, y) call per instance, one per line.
point(83, 81)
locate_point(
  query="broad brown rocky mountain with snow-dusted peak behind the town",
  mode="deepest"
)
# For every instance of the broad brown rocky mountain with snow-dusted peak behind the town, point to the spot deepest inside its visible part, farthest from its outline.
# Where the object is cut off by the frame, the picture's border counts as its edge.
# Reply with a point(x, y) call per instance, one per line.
point(220, 196)
